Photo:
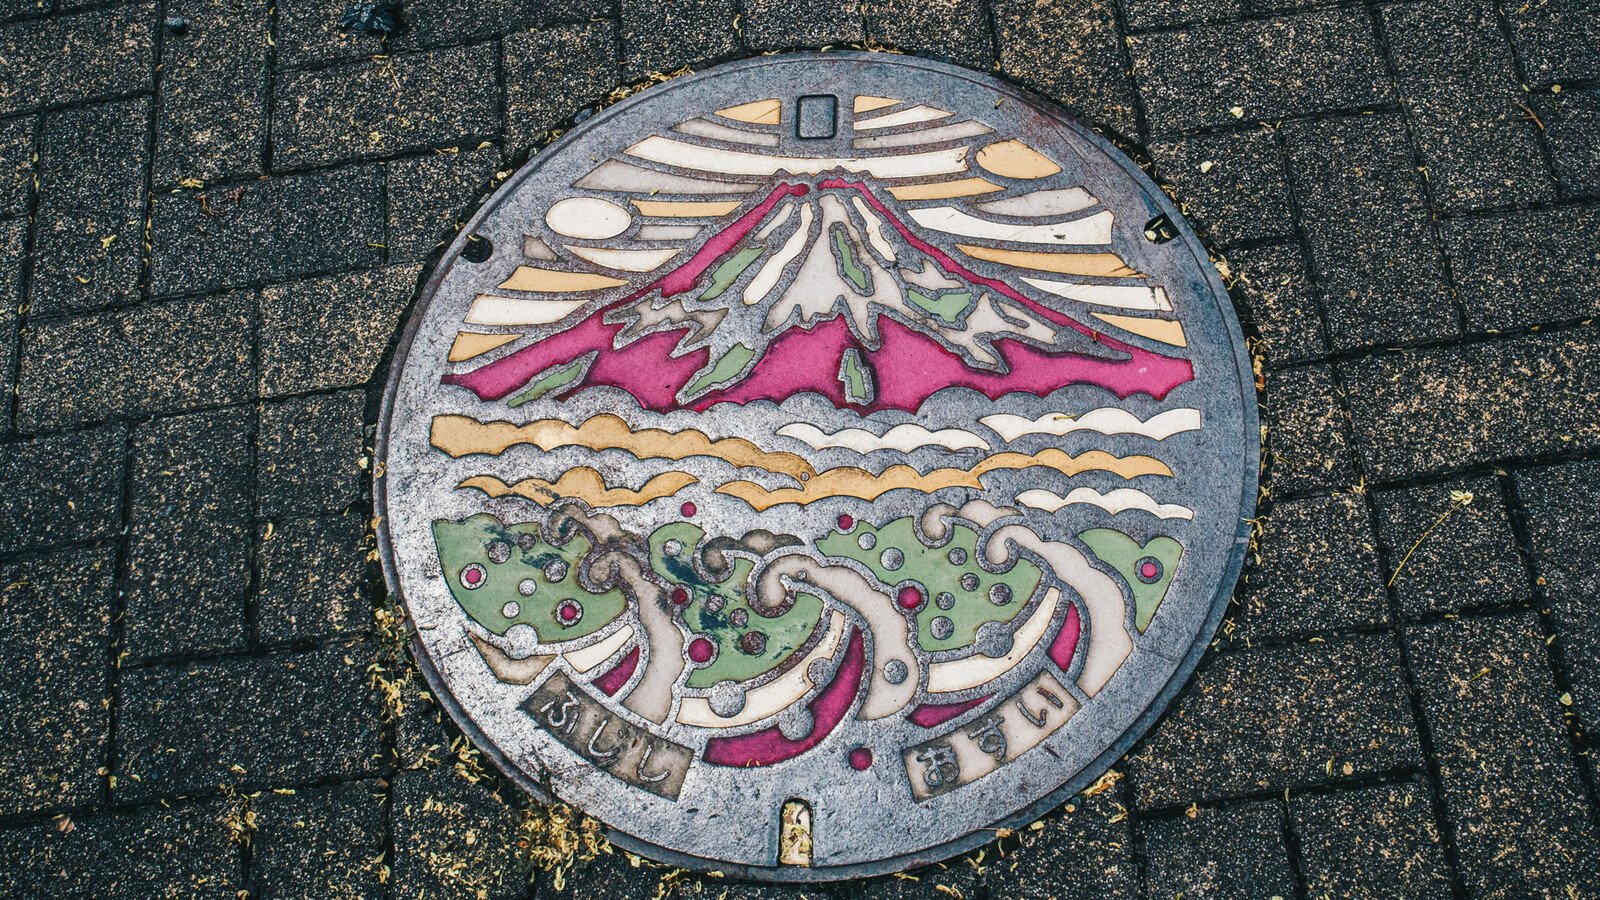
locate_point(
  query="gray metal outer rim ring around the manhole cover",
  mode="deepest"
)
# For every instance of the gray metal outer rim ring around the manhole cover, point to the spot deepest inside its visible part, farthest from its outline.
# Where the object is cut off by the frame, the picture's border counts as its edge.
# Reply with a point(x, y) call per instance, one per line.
point(1250, 443)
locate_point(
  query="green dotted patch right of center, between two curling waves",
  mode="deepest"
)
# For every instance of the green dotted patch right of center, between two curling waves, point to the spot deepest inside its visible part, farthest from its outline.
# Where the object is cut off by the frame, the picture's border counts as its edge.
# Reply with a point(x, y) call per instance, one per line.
point(935, 571)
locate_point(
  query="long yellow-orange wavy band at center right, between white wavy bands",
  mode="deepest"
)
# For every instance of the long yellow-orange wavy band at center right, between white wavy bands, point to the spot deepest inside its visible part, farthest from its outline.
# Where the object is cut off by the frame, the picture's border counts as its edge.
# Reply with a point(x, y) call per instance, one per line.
point(849, 481)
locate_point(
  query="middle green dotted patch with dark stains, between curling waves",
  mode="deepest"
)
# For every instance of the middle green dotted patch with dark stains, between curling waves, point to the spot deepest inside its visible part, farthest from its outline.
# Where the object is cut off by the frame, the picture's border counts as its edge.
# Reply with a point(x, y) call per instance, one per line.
point(711, 609)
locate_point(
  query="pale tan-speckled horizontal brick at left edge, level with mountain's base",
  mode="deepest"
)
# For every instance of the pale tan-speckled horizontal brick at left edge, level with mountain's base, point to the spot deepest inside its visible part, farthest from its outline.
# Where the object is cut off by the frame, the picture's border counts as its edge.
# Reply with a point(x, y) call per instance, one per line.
point(153, 360)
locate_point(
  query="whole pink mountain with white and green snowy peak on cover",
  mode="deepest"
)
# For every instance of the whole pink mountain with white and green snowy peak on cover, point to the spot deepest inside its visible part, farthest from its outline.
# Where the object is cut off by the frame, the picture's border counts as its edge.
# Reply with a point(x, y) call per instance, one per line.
point(823, 287)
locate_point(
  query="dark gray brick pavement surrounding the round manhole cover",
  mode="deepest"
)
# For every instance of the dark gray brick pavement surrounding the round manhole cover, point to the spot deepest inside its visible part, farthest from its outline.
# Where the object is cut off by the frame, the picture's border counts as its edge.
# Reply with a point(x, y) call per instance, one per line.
point(209, 238)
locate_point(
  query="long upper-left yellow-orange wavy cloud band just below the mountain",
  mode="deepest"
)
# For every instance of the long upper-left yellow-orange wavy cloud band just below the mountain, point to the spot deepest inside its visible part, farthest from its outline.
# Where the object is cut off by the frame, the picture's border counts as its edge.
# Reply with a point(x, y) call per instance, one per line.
point(462, 436)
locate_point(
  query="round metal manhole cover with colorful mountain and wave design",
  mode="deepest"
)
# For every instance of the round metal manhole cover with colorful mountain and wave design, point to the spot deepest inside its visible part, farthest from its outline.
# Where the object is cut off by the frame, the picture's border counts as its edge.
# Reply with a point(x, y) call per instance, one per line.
point(817, 464)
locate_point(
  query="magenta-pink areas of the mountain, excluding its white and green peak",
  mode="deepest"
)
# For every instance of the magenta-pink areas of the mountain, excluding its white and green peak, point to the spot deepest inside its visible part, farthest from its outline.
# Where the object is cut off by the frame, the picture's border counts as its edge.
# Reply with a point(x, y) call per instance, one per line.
point(906, 364)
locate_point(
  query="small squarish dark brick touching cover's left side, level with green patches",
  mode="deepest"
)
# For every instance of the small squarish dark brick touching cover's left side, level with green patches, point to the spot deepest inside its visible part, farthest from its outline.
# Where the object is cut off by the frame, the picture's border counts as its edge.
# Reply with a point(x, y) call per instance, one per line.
point(314, 581)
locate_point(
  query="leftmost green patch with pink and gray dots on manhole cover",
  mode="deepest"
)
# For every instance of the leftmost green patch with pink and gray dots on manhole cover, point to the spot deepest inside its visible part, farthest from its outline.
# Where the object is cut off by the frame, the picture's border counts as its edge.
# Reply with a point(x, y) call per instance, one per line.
point(527, 558)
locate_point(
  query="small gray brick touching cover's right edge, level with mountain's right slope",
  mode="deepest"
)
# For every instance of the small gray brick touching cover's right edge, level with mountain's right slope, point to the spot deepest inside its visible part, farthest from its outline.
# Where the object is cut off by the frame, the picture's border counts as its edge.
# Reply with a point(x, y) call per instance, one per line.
point(1276, 289)
